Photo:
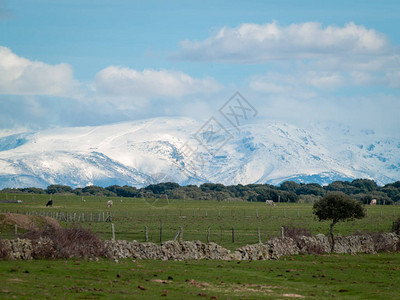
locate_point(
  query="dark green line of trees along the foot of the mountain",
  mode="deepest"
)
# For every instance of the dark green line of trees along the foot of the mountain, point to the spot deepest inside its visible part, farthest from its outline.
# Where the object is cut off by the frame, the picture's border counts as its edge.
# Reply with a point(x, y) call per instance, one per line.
point(289, 191)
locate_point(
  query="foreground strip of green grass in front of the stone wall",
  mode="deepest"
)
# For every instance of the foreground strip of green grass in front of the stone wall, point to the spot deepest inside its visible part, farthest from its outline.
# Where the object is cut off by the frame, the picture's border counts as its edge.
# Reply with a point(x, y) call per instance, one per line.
point(316, 277)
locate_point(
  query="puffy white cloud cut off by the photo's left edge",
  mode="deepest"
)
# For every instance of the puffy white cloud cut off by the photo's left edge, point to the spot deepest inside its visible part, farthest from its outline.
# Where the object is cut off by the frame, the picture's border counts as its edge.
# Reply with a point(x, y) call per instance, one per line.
point(20, 76)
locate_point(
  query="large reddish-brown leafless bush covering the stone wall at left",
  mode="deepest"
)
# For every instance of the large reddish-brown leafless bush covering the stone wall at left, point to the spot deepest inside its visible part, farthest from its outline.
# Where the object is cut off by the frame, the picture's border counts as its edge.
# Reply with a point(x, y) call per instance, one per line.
point(65, 243)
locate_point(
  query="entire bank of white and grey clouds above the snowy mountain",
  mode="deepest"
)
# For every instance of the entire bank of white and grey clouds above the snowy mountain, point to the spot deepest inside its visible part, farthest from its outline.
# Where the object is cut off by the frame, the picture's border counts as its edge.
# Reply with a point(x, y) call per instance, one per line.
point(347, 74)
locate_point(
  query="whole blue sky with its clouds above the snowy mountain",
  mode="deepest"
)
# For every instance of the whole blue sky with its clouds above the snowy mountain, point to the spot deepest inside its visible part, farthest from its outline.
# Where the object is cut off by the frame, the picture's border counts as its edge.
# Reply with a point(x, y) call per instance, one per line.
point(81, 63)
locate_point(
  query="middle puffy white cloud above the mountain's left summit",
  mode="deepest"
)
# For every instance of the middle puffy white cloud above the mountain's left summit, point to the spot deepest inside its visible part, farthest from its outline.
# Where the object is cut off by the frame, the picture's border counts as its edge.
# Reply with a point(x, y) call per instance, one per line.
point(119, 82)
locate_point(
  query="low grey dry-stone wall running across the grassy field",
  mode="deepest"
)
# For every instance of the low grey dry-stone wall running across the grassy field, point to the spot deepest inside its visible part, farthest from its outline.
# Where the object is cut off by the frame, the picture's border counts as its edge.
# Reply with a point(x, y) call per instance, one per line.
point(188, 250)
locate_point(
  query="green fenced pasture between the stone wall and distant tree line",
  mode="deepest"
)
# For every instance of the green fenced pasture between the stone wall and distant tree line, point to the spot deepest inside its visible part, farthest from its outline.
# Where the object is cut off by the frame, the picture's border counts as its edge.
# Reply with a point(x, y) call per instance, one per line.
point(132, 215)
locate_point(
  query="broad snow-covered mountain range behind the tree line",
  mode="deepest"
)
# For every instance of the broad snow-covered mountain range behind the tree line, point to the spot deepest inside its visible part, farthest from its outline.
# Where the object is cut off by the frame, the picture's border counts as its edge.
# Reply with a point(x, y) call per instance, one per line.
point(184, 151)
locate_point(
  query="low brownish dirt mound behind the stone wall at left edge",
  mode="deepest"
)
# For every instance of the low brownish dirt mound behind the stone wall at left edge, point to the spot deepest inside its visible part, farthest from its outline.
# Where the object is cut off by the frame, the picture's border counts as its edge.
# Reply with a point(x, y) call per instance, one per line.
point(28, 222)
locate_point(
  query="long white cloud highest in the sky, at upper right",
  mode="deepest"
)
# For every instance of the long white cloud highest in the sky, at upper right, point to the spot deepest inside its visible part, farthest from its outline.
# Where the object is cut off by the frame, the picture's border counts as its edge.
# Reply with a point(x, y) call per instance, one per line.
point(253, 43)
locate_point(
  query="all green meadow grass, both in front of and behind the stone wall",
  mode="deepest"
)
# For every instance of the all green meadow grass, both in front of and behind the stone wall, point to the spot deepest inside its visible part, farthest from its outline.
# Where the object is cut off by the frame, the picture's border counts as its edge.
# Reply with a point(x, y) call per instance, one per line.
point(309, 276)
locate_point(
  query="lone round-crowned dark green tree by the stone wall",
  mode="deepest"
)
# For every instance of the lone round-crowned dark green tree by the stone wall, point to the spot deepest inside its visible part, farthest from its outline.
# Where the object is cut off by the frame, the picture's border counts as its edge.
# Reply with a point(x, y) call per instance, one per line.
point(337, 206)
